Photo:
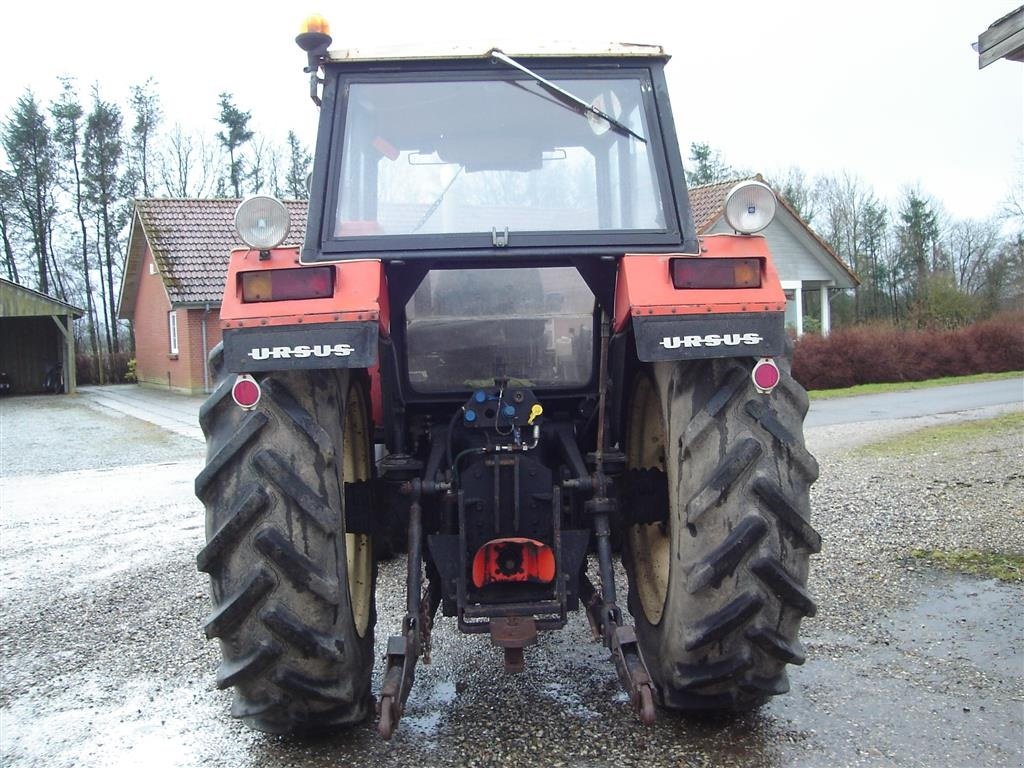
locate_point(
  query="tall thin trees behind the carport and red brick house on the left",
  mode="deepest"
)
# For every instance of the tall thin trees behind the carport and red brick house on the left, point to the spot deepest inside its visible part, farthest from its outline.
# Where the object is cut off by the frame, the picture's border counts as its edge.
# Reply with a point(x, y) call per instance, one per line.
point(69, 170)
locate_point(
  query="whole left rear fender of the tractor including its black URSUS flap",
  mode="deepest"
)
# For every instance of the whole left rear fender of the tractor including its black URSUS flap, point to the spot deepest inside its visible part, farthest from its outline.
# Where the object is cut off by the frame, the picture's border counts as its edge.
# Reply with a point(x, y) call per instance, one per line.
point(278, 332)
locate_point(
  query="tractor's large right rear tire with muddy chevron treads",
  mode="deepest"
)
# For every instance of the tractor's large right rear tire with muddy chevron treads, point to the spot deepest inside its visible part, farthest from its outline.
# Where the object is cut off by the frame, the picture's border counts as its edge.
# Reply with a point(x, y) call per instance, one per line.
point(719, 590)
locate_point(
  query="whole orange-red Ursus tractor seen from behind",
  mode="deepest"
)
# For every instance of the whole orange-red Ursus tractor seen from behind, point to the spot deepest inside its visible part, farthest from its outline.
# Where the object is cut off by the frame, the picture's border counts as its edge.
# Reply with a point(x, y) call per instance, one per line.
point(503, 350)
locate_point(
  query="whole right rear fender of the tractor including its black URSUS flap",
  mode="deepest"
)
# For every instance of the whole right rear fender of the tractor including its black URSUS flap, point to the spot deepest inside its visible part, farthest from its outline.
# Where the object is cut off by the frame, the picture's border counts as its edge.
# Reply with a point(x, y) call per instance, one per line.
point(673, 324)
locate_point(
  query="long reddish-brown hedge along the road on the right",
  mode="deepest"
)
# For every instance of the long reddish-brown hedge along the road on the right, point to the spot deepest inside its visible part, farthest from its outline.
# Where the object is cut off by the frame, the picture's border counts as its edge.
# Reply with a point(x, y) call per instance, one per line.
point(870, 355)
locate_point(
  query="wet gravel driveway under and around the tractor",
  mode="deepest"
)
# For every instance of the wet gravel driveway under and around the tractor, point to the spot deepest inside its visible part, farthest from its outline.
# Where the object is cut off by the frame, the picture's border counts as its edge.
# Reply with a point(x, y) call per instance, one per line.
point(104, 663)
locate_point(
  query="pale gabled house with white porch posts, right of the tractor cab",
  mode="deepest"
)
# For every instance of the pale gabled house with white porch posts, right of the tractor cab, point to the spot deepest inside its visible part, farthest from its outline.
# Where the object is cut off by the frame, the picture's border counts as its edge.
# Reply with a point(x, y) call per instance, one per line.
point(808, 268)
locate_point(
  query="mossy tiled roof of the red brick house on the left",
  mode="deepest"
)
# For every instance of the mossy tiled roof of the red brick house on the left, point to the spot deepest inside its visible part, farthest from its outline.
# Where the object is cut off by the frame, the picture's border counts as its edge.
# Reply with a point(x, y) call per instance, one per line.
point(191, 241)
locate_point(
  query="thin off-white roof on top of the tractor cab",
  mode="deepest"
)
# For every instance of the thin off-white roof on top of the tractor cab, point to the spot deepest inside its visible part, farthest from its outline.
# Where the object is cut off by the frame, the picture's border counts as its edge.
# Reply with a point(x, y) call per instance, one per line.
point(431, 52)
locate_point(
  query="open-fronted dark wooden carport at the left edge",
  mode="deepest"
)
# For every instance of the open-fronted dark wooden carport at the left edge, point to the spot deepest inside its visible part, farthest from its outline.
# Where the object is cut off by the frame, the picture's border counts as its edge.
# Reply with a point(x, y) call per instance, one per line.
point(35, 333)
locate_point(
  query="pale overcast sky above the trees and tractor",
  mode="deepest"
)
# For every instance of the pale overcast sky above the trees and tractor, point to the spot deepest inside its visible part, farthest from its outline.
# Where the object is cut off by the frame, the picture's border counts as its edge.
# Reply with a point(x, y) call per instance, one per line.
point(888, 91)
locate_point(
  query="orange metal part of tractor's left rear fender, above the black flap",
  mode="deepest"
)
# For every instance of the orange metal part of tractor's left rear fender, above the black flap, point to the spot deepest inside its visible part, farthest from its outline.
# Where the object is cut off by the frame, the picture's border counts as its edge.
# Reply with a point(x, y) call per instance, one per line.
point(359, 293)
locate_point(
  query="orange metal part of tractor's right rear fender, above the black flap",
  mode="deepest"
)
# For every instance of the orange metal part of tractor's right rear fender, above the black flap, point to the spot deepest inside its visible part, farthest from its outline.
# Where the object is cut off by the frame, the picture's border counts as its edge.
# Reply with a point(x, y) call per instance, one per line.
point(645, 287)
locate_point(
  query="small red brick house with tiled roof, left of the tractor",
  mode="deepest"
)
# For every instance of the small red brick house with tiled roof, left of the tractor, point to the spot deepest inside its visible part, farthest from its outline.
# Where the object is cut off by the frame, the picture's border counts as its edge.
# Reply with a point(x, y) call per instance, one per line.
point(174, 283)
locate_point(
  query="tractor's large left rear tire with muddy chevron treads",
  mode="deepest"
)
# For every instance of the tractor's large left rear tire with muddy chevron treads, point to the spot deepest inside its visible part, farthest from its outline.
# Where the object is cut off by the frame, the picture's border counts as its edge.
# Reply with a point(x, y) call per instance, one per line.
point(293, 594)
